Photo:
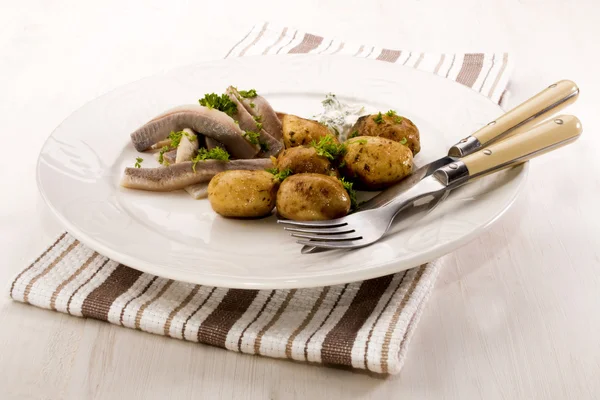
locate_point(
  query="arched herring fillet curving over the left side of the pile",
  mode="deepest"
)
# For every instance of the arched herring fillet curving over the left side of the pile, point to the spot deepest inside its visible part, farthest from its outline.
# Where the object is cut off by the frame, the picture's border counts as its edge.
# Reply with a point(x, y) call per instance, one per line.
point(212, 123)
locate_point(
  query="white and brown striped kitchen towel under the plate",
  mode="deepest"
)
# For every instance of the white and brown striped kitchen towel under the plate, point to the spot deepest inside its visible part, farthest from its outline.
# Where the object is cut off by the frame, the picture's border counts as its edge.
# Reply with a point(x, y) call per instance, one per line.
point(364, 325)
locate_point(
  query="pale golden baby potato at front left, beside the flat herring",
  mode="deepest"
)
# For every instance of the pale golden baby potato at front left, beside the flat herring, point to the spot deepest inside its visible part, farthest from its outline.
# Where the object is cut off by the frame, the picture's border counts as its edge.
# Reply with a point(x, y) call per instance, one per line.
point(243, 194)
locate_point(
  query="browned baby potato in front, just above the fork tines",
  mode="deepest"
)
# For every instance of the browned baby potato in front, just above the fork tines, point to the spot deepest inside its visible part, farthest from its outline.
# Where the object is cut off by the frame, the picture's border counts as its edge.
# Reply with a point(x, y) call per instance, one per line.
point(312, 197)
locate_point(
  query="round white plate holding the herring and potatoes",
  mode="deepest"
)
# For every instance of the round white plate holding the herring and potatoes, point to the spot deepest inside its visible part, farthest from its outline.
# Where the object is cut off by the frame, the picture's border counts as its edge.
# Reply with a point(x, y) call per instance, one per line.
point(171, 235)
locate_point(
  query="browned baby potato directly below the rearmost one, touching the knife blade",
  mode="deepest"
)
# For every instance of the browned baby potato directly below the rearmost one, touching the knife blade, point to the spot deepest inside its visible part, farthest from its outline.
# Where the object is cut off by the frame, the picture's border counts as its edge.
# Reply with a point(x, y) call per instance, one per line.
point(375, 162)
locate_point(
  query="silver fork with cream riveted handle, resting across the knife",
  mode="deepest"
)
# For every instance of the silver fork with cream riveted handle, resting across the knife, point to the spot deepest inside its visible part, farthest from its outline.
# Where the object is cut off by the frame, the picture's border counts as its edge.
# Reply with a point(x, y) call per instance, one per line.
point(366, 227)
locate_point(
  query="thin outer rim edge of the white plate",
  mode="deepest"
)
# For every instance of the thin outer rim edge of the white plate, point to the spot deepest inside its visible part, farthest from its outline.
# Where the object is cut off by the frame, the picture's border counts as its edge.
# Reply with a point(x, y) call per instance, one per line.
point(382, 269)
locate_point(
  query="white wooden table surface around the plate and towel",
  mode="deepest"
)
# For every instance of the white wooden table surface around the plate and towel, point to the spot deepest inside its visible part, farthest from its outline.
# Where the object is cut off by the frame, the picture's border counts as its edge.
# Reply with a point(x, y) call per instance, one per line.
point(514, 315)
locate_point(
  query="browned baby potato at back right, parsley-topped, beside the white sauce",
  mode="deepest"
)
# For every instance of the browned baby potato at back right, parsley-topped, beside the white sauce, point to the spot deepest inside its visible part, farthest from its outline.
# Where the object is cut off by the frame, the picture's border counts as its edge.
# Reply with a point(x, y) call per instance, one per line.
point(390, 126)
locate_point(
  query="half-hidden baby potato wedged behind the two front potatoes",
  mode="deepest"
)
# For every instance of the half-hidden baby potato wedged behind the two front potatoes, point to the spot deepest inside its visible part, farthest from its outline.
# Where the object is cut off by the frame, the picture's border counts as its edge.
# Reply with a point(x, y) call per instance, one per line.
point(304, 159)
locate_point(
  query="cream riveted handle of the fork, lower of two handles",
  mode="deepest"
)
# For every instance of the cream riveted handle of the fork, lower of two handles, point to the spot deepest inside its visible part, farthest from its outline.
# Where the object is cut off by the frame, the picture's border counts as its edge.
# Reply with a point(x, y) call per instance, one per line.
point(519, 148)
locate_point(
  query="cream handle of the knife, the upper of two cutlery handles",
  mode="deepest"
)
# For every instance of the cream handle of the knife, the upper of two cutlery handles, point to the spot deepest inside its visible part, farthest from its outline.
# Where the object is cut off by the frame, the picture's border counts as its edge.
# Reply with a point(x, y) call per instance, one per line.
point(552, 99)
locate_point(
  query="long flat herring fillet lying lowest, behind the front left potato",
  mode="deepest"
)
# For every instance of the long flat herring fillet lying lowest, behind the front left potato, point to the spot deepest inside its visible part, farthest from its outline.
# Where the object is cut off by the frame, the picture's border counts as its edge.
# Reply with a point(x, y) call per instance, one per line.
point(178, 176)
